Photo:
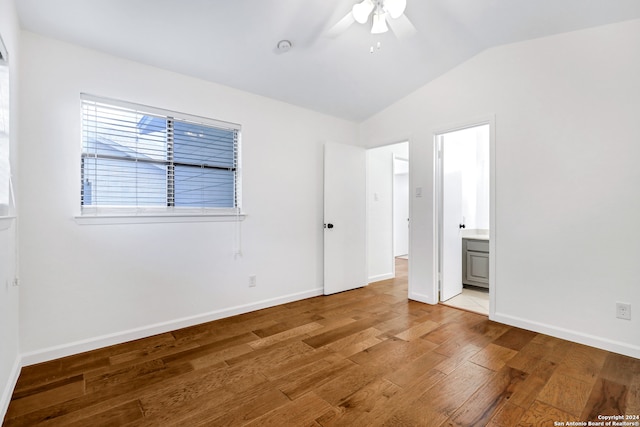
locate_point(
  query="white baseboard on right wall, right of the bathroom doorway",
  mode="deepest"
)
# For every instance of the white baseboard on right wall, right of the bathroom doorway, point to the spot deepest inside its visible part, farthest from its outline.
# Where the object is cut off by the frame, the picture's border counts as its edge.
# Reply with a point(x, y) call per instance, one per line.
point(569, 335)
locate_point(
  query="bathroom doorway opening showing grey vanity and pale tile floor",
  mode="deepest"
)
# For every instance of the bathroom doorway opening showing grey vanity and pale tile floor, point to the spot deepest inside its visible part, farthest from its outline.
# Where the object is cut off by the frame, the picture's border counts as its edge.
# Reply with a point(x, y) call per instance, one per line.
point(463, 216)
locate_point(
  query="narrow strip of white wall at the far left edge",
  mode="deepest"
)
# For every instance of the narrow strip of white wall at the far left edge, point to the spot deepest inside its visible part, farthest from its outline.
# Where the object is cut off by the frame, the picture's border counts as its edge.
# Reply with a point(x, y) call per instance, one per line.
point(9, 295)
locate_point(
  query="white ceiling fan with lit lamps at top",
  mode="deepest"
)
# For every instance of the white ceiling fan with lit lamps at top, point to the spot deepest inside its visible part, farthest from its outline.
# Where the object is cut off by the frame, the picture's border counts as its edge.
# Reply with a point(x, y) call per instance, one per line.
point(383, 12)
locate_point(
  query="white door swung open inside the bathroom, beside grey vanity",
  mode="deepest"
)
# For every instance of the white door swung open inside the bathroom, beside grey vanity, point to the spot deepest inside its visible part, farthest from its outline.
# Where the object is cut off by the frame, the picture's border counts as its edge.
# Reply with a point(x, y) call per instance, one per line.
point(451, 276)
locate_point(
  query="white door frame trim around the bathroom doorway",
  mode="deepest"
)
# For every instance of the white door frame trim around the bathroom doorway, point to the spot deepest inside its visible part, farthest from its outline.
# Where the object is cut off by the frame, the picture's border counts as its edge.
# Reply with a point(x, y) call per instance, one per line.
point(437, 204)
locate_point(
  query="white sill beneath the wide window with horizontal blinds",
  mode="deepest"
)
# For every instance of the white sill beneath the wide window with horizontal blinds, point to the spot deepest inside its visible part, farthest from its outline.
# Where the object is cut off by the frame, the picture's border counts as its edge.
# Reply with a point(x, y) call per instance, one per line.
point(156, 218)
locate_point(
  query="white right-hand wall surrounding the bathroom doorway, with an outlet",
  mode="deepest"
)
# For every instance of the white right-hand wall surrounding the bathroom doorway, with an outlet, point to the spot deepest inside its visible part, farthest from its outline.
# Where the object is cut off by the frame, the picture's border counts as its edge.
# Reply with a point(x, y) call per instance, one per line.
point(567, 154)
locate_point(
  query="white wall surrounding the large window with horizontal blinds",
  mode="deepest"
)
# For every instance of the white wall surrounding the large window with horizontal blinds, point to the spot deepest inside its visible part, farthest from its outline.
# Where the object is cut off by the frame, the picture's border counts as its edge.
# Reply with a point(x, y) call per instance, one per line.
point(89, 285)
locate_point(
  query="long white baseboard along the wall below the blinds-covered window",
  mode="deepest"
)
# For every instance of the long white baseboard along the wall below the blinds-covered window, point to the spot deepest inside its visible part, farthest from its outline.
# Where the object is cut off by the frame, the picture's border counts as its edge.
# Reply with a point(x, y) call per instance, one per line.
point(81, 346)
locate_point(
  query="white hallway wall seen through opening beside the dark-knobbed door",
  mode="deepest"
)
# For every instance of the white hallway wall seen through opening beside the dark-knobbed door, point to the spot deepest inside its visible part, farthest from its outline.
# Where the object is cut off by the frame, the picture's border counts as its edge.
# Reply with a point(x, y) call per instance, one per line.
point(380, 209)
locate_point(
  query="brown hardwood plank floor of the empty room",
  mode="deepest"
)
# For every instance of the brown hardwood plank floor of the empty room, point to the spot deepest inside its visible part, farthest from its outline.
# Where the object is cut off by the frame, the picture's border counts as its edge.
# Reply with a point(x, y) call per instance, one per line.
point(366, 357)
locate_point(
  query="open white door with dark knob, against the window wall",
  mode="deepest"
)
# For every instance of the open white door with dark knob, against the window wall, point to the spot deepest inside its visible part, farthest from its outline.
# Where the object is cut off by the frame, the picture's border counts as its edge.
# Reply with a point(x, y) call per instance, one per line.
point(345, 258)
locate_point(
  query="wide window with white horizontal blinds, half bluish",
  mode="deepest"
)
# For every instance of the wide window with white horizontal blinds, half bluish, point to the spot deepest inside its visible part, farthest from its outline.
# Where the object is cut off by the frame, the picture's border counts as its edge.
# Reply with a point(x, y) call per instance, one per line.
point(138, 159)
